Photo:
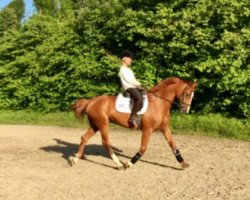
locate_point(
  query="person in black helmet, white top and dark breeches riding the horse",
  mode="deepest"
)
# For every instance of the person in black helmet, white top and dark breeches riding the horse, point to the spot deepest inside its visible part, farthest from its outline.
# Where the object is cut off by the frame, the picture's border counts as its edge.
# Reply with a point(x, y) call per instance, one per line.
point(130, 84)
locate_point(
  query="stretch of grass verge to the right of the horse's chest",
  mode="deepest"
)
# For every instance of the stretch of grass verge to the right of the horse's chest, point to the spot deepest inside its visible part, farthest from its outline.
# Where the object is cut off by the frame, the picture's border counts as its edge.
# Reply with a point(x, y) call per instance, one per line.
point(214, 125)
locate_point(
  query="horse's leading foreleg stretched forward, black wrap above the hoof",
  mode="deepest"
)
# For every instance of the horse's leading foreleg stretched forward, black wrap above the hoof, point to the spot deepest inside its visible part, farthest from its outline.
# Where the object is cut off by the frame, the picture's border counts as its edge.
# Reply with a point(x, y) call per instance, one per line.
point(169, 137)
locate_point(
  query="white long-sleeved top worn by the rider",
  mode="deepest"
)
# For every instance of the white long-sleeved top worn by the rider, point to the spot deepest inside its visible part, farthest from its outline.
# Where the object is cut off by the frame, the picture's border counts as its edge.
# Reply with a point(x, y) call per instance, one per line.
point(127, 78)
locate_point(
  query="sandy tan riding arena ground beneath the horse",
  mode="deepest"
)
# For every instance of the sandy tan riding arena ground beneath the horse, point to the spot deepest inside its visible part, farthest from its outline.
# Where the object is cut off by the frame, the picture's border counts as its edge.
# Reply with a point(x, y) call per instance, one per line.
point(33, 165)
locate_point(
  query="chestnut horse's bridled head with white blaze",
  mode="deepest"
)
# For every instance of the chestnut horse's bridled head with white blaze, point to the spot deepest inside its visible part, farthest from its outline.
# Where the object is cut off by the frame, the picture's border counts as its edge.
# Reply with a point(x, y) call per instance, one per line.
point(186, 95)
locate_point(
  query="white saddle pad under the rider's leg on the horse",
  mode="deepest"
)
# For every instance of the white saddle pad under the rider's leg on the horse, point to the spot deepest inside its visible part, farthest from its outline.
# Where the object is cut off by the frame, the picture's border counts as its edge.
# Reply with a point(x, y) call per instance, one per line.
point(124, 105)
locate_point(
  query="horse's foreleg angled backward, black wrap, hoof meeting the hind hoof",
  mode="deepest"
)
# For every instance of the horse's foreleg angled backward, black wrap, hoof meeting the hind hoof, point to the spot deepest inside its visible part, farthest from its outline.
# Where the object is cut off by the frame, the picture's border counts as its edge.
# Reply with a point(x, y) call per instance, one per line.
point(144, 144)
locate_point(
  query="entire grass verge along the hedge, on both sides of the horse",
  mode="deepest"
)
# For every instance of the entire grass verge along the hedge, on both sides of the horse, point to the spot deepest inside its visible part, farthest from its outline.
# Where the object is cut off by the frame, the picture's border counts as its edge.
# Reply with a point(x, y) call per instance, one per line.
point(213, 125)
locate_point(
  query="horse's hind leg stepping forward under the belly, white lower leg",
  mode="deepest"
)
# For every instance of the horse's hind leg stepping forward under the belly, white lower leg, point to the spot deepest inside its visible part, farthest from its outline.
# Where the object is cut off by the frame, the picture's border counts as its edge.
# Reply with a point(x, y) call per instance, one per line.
point(106, 144)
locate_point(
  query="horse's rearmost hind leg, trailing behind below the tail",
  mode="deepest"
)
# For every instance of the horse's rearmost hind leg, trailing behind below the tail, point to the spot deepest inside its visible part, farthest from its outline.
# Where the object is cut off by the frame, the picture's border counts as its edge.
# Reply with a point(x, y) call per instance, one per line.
point(84, 139)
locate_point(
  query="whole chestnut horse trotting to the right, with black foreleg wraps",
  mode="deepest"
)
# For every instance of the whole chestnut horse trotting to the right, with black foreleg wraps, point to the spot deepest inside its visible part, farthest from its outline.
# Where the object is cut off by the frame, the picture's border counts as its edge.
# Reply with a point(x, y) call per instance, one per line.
point(101, 110)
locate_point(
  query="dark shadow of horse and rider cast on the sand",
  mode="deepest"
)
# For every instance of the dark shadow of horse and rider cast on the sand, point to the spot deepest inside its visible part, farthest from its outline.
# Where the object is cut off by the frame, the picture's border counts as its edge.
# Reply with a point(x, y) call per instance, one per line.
point(68, 149)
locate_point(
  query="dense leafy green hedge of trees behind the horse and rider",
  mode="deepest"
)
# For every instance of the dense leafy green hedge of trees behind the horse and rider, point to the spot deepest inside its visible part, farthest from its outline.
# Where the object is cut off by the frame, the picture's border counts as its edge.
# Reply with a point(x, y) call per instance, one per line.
point(71, 49)
